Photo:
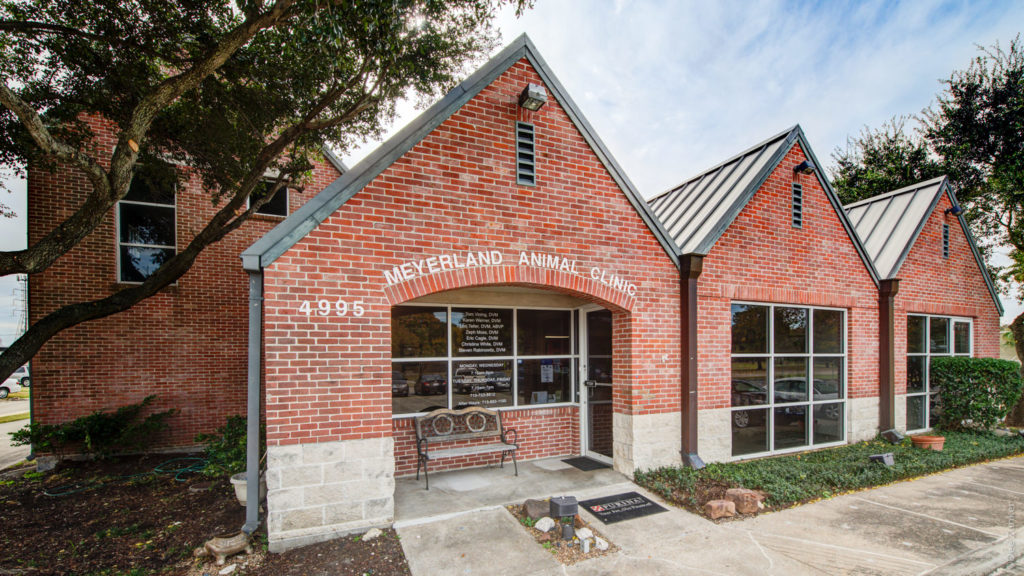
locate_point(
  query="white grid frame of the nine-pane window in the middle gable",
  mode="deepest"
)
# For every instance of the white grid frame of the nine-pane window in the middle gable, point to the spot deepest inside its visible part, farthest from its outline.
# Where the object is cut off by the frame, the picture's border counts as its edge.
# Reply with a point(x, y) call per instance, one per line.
point(810, 355)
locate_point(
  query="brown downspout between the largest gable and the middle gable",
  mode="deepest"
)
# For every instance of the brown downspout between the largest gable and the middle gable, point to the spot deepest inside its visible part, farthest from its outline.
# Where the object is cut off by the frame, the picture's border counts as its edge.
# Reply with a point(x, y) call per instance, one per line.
point(691, 267)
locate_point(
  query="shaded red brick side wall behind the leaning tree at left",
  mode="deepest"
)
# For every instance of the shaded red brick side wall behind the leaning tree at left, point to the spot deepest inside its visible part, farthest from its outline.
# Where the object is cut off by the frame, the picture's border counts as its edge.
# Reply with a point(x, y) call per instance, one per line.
point(187, 345)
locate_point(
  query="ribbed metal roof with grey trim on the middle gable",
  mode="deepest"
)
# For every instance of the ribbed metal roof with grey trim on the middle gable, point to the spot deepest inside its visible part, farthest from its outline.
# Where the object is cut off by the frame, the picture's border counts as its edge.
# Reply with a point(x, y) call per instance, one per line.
point(699, 212)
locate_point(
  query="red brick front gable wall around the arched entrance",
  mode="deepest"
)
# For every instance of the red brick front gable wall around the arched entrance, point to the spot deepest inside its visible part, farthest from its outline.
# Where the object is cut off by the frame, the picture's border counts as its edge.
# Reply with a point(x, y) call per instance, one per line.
point(455, 192)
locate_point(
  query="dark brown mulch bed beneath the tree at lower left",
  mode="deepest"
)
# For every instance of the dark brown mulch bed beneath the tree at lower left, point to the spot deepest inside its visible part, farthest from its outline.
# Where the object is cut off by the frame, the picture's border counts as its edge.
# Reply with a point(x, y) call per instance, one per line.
point(112, 522)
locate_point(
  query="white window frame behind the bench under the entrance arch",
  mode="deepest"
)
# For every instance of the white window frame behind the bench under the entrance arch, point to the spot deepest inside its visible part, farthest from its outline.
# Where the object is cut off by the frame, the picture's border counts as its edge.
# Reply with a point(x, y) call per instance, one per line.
point(451, 360)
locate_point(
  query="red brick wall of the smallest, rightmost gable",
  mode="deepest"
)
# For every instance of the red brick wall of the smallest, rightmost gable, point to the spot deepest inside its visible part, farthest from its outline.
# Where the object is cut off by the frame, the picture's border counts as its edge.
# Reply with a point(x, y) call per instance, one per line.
point(954, 286)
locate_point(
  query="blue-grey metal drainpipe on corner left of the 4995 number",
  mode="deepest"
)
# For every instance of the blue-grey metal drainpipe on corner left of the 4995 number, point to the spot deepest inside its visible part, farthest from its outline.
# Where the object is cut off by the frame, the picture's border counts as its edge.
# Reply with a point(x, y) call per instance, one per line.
point(252, 408)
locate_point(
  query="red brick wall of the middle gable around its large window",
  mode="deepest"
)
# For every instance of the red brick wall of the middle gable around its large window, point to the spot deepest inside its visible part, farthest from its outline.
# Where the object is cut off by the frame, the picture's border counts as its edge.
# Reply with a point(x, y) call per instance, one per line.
point(763, 259)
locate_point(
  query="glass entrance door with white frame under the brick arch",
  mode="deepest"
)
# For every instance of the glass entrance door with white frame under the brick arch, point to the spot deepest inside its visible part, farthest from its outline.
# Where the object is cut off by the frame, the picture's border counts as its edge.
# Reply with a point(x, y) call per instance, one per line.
point(596, 378)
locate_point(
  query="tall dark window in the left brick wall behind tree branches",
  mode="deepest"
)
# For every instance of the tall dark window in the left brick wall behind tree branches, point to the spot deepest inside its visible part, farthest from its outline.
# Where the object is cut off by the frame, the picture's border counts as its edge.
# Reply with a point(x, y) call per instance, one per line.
point(147, 236)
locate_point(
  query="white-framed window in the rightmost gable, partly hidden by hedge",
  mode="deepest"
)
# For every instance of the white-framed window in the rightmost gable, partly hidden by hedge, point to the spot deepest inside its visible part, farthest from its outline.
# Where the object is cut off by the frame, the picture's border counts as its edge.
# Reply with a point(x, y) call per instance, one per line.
point(928, 338)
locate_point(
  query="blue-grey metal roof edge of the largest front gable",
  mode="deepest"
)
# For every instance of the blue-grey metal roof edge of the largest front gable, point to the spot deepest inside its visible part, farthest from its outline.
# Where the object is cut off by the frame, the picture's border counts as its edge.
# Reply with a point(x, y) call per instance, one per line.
point(307, 219)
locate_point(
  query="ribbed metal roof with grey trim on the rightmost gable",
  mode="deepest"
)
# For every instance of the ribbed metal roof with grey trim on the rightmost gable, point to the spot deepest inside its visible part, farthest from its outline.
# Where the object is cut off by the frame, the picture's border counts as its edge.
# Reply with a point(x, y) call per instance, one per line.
point(890, 224)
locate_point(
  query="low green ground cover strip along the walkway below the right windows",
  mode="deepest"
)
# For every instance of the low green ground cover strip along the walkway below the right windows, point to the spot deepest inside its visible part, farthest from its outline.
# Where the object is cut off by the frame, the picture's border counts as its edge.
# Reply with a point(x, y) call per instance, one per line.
point(796, 479)
